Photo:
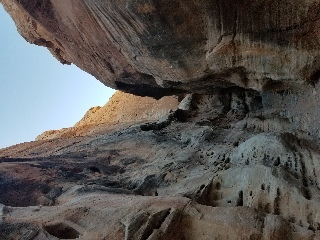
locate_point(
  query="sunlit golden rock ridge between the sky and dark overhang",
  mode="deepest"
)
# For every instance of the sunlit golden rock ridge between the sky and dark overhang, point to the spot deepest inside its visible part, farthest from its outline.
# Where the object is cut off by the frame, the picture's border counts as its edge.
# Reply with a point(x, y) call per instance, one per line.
point(121, 110)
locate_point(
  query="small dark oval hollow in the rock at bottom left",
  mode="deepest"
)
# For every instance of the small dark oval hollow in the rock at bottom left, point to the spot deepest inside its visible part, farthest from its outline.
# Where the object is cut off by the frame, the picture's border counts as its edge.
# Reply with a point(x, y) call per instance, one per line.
point(62, 231)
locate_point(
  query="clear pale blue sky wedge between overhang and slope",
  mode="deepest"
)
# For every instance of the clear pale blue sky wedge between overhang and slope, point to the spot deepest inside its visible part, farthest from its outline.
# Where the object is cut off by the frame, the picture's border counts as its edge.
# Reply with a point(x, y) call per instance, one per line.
point(38, 93)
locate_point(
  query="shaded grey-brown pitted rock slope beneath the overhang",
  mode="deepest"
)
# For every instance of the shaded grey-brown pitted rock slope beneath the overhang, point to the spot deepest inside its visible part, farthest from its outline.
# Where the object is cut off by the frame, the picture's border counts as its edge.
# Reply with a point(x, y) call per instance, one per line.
point(235, 165)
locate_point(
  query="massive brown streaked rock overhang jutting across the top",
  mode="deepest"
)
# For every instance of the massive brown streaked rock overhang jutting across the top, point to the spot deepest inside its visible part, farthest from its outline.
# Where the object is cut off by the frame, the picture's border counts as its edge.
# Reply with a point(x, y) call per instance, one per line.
point(162, 47)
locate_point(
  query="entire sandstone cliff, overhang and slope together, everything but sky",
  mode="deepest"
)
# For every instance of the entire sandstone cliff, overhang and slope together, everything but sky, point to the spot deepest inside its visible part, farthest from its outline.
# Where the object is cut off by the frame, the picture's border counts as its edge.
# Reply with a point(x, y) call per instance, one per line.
point(237, 158)
